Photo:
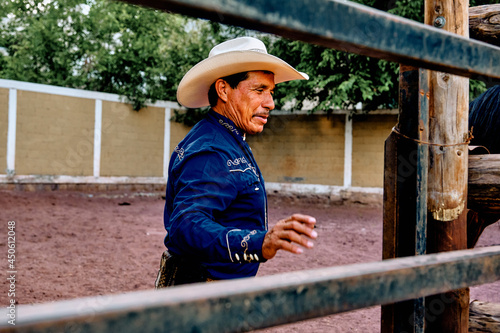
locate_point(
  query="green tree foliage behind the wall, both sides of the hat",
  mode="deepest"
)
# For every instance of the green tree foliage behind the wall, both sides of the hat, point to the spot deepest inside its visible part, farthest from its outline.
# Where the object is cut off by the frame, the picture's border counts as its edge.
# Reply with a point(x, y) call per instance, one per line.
point(142, 54)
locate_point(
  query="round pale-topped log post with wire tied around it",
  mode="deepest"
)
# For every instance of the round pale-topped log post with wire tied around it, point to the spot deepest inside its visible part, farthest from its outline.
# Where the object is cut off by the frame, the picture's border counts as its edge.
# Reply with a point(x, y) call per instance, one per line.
point(448, 156)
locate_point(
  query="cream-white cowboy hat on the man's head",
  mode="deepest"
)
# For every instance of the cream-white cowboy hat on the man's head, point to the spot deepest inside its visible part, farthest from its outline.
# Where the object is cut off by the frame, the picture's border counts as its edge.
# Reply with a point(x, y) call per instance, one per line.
point(230, 57)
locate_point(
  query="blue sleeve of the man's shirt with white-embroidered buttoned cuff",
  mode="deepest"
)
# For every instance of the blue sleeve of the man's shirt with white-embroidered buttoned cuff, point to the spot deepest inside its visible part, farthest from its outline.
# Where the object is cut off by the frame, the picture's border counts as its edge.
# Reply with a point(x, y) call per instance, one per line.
point(204, 189)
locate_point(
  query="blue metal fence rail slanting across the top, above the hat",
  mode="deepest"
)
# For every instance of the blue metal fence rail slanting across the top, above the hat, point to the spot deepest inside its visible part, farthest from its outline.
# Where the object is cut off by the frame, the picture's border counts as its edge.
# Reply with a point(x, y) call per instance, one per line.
point(343, 25)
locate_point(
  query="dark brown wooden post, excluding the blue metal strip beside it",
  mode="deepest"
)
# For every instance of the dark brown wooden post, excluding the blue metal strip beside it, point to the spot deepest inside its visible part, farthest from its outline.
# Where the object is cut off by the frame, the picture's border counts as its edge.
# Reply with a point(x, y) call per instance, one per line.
point(400, 194)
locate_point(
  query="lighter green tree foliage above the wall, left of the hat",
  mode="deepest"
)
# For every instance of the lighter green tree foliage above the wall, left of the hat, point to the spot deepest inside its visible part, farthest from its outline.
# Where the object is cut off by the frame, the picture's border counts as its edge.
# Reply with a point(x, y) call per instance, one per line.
point(100, 45)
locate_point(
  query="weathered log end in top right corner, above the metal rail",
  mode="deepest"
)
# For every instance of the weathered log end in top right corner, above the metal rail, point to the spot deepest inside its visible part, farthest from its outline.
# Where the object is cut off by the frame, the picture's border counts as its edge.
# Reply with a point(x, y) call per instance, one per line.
point(484, 23)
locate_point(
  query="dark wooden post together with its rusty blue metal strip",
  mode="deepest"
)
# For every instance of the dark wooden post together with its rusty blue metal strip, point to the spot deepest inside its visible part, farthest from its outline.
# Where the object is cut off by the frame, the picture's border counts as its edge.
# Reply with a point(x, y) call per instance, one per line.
point(405, 193)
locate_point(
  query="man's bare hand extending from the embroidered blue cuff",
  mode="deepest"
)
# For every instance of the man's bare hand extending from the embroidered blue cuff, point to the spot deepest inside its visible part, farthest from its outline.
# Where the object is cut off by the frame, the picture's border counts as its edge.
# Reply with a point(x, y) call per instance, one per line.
point(288, 234)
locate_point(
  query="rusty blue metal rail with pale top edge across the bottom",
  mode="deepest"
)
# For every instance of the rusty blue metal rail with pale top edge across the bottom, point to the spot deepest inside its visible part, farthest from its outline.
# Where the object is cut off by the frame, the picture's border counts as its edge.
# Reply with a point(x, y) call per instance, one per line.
point(245, 304)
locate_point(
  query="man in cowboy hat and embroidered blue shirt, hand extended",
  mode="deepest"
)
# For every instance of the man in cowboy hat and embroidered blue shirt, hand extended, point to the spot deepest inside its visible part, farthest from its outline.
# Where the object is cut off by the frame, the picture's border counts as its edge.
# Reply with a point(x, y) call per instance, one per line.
point(216, 204)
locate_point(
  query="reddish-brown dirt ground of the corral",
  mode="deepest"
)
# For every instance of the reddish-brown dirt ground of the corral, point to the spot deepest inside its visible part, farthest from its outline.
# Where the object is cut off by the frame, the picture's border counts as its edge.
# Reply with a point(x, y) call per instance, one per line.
point(74, 244)
